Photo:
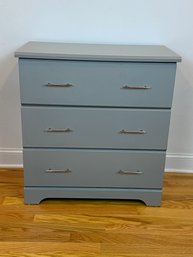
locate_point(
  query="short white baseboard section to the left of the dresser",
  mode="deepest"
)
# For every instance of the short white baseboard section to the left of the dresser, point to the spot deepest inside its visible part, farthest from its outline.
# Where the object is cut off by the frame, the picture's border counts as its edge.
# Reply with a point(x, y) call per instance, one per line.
point(11, 158)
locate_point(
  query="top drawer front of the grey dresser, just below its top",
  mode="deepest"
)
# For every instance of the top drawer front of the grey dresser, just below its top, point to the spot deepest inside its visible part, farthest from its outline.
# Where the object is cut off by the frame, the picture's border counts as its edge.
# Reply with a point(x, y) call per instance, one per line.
point(85, 83)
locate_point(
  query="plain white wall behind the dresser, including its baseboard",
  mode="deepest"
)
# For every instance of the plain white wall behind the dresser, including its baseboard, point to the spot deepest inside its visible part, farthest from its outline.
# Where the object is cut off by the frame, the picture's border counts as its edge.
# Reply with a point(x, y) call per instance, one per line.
point(167, 22)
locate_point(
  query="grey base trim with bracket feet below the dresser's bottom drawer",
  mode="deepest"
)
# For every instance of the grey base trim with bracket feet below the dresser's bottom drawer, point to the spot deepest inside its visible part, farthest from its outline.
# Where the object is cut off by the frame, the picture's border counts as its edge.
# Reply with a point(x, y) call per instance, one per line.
point(34, 195)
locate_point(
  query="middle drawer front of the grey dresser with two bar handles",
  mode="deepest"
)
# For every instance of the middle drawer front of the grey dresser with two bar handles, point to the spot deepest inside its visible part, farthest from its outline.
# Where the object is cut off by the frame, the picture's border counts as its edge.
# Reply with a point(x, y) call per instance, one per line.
point(95, 128)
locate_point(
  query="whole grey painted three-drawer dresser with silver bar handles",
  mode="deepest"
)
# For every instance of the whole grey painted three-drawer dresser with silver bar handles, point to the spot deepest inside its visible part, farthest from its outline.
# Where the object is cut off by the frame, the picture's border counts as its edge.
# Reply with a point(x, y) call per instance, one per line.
point(95, 120)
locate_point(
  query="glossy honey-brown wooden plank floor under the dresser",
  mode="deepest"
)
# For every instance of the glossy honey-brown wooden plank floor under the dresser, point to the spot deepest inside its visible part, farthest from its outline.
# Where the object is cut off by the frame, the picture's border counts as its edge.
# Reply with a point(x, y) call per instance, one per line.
point(87, 228)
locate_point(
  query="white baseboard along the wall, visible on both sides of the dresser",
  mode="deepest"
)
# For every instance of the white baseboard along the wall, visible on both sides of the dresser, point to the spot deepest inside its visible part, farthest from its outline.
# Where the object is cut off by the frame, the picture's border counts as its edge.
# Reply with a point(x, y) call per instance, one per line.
point(13, 158)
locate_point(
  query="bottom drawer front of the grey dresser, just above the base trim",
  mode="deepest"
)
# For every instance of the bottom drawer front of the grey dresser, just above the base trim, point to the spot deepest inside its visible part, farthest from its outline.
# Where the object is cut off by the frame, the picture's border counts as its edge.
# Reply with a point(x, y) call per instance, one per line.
point(94, 168)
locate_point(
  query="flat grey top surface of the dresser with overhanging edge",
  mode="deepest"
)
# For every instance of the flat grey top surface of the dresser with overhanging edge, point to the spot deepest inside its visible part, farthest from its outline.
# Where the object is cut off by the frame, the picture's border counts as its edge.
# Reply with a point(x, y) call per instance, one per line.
point(98, 52)
